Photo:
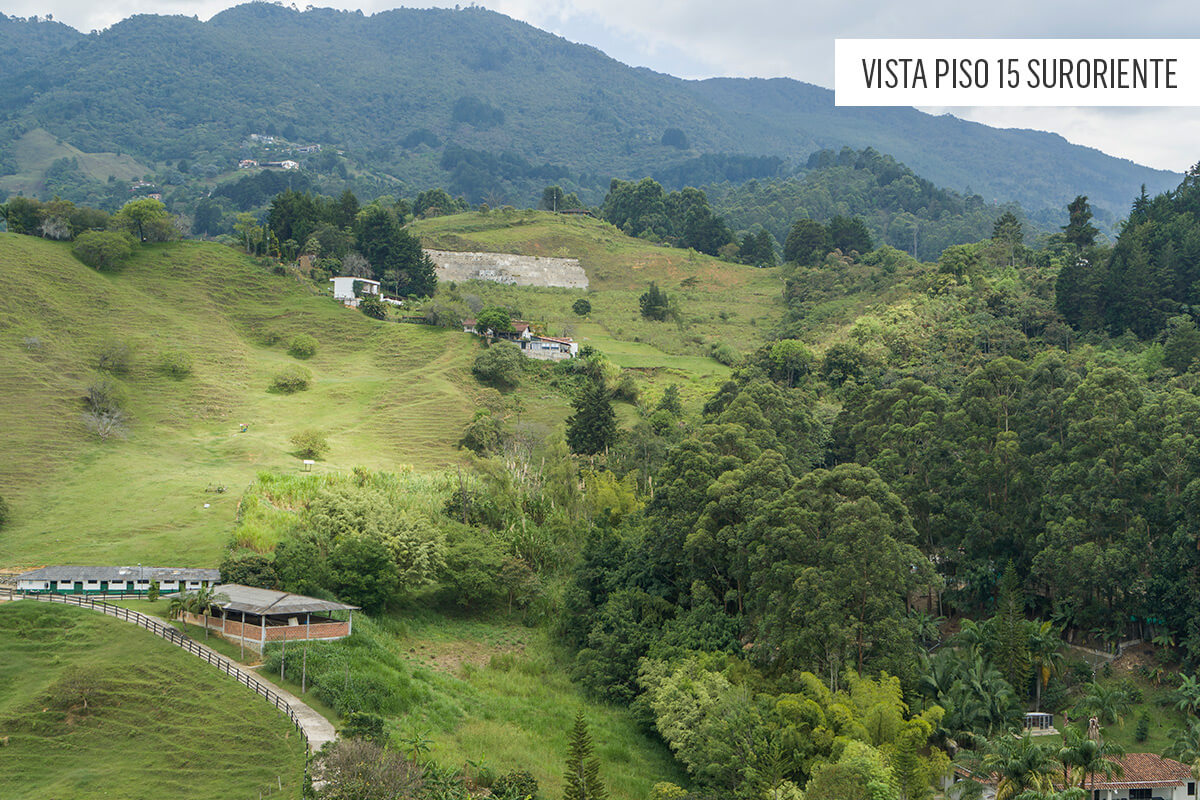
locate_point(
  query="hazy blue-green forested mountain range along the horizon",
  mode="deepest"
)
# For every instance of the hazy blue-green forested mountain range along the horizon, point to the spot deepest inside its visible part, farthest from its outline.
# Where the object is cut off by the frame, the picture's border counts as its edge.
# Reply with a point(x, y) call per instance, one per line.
point(481, 103)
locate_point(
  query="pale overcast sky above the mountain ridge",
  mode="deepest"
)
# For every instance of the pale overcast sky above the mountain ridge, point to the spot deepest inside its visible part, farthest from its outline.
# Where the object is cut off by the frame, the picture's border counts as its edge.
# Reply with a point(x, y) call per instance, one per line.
point(701, 39)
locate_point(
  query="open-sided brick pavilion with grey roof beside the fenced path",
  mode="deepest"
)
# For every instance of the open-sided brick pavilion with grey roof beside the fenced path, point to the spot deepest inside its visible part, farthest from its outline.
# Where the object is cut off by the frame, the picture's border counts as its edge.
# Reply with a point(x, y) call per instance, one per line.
point(261, 616)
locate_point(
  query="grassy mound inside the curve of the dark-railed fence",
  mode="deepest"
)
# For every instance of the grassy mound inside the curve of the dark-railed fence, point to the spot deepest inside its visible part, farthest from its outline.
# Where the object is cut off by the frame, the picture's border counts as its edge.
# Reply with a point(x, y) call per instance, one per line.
point(159, 723)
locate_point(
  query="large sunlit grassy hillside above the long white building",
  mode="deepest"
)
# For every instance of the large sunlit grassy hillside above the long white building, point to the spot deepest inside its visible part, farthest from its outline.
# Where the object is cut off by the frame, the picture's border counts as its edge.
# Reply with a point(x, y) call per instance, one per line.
point(388, 395)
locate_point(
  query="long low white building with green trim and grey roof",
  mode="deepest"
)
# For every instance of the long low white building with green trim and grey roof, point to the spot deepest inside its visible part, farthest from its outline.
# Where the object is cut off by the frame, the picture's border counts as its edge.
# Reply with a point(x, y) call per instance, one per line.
point(115, 580)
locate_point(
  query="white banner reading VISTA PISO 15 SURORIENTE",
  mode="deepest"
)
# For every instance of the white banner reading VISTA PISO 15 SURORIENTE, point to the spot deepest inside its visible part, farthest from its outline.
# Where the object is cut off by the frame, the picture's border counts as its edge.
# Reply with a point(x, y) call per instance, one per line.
point(1017, 73)
